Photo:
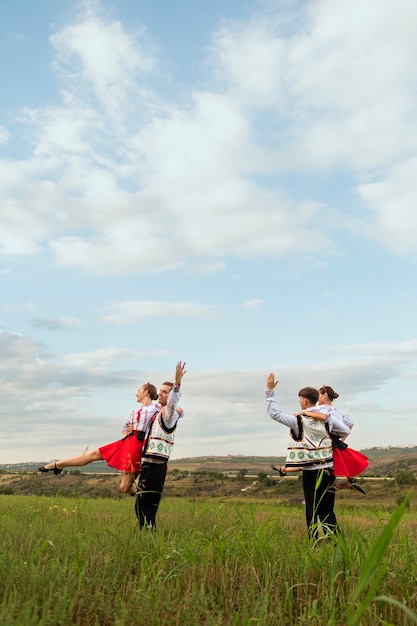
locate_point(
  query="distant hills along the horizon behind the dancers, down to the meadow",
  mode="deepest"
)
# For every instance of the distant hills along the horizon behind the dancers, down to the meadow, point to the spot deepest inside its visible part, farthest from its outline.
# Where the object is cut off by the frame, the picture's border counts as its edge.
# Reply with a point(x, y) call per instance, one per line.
point(221, 476)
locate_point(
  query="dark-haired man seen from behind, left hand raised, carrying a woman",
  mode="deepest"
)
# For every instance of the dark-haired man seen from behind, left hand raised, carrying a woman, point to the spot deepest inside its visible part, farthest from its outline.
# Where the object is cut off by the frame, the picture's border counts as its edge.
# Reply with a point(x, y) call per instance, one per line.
point(312, 451)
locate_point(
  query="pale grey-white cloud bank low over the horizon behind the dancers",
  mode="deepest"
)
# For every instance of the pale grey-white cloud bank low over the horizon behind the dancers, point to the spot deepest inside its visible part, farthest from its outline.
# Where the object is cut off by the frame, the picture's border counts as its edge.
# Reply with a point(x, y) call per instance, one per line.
point(64, 403)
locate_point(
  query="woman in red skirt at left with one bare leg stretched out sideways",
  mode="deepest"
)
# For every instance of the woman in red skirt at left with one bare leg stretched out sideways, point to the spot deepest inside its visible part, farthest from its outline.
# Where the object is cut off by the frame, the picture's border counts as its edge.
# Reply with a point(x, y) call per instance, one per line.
point(124, 454)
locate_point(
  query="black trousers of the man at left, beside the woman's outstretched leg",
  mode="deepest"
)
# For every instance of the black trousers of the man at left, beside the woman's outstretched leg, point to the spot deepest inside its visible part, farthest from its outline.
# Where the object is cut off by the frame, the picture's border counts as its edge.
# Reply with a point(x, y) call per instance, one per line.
point(151, 484)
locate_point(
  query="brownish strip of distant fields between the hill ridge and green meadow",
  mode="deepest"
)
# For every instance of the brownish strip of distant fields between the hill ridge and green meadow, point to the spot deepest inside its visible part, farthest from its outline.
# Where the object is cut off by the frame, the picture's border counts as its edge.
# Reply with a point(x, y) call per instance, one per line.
point(183, 483)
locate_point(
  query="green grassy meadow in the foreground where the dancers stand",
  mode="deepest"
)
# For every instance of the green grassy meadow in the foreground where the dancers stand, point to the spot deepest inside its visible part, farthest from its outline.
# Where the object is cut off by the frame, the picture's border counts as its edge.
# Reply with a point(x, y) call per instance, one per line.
point(213, 562)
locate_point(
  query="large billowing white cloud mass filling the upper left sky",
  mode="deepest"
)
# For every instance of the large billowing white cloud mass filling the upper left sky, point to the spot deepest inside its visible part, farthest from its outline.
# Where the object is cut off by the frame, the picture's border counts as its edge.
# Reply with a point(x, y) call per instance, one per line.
point(146, 192)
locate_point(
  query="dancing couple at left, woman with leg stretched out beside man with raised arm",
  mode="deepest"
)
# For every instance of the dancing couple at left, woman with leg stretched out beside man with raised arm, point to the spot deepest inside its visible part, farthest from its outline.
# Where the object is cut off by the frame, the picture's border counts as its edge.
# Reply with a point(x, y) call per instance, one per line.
point(144, 449)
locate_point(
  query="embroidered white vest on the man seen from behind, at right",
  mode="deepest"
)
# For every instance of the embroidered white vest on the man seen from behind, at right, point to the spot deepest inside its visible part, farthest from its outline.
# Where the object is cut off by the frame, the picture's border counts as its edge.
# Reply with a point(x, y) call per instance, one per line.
point(312, 444)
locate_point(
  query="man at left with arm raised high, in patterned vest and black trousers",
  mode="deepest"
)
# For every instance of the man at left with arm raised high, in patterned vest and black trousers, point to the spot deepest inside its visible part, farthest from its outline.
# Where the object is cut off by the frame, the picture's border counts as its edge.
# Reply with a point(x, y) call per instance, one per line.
point(157, 450)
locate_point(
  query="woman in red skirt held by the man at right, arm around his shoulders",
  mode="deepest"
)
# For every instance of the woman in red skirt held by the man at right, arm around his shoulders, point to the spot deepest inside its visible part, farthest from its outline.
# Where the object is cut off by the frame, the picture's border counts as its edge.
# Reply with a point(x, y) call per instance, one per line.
point(347, 462)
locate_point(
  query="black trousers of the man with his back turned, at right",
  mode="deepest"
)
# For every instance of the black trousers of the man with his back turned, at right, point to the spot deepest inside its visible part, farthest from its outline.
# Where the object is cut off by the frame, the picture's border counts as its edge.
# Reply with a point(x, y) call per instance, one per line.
point(319, 499)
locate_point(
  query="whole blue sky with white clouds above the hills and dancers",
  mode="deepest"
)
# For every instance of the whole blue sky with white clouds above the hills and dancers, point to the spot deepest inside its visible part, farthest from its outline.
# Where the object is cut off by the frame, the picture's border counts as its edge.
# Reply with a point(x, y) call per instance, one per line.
point(227, 183)
